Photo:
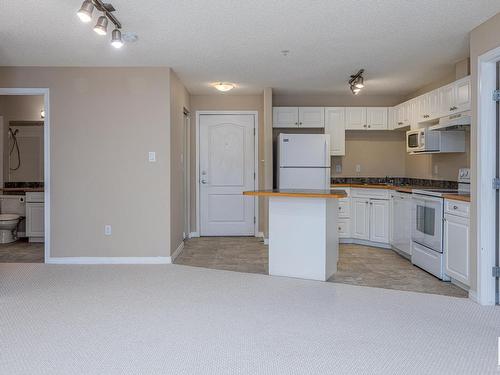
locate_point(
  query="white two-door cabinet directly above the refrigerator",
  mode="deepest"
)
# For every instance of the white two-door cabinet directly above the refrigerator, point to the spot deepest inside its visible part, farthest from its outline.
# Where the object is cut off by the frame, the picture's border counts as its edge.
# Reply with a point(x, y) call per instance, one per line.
point(298, 117)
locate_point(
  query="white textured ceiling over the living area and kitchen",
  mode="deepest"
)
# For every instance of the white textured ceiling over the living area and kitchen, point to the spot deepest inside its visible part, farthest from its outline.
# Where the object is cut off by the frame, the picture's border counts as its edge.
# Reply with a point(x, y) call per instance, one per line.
point(402, 44)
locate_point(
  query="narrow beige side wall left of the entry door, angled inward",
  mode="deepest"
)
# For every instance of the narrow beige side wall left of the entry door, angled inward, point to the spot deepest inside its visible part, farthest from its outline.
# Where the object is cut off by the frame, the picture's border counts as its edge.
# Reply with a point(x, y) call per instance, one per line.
point(179, 100)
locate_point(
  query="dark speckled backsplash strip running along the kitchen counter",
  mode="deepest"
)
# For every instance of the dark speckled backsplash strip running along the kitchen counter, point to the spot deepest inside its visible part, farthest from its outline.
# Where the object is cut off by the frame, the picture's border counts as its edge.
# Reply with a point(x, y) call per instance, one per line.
point(399, 181)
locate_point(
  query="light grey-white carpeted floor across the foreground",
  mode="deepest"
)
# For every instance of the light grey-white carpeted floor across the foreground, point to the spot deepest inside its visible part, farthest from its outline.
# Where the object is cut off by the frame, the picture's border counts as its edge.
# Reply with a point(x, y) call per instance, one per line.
point(170, 319)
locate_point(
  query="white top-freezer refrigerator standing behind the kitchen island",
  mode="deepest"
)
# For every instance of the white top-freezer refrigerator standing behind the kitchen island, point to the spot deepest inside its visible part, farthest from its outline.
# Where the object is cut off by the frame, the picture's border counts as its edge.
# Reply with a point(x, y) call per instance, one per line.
point(304, 161)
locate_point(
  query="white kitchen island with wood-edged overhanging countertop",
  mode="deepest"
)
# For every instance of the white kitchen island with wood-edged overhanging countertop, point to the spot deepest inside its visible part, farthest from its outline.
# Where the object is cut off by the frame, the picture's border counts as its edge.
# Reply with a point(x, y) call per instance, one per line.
point(303, 238)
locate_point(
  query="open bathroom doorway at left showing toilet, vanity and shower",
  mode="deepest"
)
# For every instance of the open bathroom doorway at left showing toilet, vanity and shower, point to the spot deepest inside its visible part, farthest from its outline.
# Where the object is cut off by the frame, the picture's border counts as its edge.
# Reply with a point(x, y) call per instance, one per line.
point(24, 206)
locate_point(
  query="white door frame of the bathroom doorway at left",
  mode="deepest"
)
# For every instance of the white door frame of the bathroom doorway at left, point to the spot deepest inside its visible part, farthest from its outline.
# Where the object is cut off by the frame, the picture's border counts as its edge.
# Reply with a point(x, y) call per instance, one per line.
point(46, 156)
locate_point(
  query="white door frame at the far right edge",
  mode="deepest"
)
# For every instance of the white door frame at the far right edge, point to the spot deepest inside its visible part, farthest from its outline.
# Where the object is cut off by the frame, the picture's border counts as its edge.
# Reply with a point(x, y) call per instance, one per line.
point(485, 196)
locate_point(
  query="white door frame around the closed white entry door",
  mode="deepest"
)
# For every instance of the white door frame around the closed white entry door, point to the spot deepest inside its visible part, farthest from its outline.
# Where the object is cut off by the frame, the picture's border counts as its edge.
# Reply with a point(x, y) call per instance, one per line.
point(256, 164)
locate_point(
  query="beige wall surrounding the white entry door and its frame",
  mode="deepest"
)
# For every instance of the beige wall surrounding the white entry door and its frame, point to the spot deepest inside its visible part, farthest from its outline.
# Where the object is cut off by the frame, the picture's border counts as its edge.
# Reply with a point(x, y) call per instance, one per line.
point(225, 102)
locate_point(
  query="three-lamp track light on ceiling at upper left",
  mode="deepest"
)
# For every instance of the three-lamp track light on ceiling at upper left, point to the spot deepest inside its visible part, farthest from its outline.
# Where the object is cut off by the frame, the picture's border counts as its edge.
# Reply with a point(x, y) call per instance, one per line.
point(101, 27)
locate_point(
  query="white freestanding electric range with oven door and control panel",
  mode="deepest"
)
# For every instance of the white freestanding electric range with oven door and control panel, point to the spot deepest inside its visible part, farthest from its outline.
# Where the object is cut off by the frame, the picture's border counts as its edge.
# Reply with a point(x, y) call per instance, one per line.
point(427, 225)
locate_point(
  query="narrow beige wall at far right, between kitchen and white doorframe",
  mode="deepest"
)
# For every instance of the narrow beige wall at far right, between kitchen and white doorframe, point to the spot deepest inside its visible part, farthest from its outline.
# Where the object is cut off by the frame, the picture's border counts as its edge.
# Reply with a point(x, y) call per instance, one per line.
point(482, 39)
